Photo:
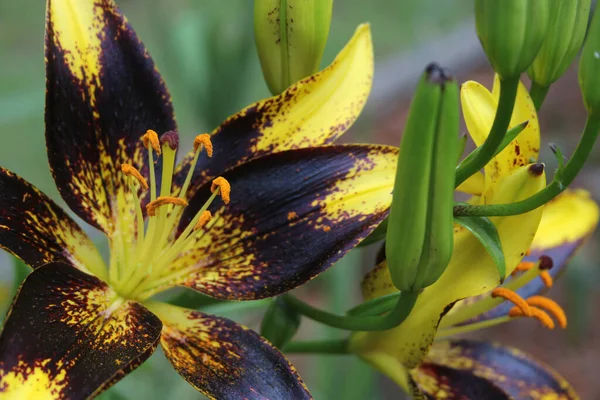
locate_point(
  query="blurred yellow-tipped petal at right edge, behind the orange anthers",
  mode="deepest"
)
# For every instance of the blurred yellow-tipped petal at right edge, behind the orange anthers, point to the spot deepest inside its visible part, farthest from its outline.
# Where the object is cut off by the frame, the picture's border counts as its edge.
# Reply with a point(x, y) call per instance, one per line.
point(567, 222)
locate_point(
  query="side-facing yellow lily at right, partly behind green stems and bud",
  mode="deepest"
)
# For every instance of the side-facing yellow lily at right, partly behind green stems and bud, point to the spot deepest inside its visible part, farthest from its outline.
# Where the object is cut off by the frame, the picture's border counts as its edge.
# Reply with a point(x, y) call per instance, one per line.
point(470, 295)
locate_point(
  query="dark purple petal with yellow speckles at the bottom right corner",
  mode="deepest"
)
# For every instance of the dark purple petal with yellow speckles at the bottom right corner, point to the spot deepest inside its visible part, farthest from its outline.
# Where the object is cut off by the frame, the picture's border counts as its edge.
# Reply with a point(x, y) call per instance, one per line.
point(468, 369)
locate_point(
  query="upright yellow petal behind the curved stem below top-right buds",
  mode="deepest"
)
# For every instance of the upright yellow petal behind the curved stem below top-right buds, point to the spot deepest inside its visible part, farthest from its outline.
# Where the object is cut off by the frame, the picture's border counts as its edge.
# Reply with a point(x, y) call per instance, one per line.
point(479, 108)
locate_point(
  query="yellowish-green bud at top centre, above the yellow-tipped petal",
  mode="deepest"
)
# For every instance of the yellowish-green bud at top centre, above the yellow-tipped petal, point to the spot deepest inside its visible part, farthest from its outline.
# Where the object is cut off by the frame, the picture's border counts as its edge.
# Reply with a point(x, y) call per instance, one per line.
point(290, 38)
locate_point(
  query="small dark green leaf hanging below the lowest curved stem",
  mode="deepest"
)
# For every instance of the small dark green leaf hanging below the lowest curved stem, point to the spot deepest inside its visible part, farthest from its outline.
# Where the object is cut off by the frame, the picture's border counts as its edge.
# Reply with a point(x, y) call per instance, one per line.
point(280, 323)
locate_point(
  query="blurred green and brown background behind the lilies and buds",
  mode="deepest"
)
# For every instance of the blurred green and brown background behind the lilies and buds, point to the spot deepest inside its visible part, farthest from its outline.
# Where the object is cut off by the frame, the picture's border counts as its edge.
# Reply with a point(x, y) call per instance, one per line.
point(205, 51)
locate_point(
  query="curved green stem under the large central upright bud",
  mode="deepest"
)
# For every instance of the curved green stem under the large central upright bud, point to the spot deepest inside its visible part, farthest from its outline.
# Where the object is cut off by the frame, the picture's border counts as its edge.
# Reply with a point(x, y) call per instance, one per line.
point(405, 303)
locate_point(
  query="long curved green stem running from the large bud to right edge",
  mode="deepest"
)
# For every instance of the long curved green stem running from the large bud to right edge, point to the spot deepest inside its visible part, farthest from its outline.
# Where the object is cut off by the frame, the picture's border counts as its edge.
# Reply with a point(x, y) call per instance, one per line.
point(562, 180)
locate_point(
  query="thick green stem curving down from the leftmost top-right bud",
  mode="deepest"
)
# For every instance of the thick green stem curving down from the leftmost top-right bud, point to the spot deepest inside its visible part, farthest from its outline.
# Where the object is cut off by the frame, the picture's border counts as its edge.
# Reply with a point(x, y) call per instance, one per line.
point(506, 103)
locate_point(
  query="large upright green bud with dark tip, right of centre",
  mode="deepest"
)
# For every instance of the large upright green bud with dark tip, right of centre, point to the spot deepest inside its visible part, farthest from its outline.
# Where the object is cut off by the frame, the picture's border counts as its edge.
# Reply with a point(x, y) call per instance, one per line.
point(419, 238)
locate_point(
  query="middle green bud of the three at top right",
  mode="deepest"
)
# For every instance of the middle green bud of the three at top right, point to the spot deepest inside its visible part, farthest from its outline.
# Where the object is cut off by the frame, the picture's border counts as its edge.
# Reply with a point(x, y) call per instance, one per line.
point(568, 23)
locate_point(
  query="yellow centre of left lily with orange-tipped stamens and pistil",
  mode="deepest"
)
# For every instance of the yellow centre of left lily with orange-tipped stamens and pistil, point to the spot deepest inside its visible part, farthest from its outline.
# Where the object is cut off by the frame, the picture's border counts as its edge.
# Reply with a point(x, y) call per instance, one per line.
point(137, 271)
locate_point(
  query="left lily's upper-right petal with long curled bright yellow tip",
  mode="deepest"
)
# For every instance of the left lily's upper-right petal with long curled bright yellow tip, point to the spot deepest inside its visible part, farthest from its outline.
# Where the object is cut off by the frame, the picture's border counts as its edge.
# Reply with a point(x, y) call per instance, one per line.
point(312, 112)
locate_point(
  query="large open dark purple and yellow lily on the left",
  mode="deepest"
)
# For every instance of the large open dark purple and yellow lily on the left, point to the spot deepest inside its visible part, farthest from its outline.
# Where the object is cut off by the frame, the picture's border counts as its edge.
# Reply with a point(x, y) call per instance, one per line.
point(289, 209)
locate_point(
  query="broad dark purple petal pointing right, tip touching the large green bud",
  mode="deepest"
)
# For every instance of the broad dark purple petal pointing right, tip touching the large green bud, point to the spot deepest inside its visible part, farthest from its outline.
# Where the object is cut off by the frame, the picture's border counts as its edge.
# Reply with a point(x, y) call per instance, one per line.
point(292, 215)
